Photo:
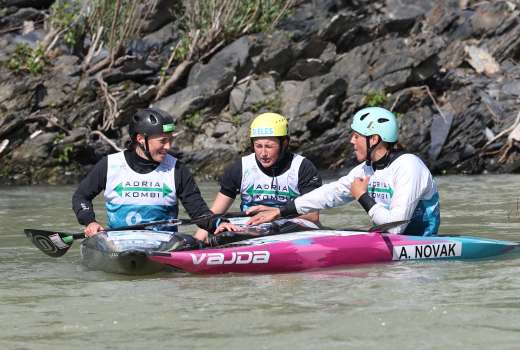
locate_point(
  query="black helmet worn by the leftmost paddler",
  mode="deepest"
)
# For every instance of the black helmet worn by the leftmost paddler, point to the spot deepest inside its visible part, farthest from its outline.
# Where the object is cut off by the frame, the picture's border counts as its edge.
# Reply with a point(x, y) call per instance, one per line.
point(150, 121)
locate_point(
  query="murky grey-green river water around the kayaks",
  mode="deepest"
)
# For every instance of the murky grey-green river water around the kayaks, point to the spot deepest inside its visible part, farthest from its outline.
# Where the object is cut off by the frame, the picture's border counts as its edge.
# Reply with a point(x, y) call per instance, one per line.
point(54, 303)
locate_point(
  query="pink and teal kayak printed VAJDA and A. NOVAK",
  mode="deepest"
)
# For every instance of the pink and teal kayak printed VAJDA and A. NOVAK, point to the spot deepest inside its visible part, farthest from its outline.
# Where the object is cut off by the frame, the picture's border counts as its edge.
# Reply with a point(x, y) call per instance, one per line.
point(310, 250)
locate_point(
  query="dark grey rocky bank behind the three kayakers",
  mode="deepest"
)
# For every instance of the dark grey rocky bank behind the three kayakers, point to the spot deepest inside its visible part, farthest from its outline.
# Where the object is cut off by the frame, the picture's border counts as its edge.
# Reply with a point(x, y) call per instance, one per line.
point(449, 69)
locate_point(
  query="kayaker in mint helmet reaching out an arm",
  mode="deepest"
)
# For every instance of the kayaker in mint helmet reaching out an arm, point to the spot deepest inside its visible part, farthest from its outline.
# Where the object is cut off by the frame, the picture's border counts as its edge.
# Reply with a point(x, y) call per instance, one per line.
point(390, 185)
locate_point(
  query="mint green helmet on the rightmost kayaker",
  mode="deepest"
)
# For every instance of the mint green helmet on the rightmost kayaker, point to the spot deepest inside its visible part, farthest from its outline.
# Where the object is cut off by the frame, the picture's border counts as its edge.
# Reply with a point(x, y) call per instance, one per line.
point(376, 121)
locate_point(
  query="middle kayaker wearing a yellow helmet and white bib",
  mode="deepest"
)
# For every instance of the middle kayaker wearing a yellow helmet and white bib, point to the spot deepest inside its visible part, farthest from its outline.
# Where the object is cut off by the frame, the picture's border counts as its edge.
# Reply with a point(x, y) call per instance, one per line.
point(271, 175)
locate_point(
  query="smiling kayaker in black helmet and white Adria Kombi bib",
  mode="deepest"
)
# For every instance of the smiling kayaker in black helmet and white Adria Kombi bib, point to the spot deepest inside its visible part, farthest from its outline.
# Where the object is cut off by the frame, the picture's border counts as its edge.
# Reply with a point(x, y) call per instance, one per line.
point(142, 183)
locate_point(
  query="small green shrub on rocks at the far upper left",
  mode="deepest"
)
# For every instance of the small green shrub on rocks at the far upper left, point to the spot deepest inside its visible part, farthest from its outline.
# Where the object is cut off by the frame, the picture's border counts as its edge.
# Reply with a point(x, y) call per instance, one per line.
point(27, 59)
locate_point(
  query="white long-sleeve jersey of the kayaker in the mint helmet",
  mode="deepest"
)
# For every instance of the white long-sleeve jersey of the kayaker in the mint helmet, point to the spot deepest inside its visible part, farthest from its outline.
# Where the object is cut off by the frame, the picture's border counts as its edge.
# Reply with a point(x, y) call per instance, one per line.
point(403, 190)
